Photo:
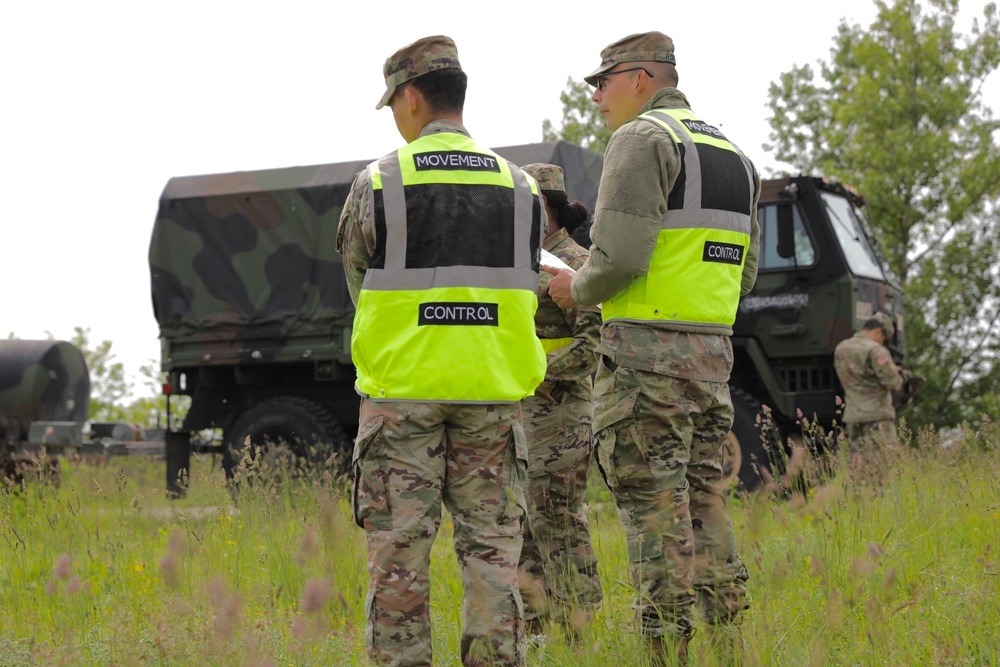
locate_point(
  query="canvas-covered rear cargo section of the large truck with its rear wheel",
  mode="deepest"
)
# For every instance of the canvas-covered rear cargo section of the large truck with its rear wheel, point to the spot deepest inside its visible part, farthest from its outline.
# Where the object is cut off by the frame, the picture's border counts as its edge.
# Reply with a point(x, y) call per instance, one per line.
point(254, 313)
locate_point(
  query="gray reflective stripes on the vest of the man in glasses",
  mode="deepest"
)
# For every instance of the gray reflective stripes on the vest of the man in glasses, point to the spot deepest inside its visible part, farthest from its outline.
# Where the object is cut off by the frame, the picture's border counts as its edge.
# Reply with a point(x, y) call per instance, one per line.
point(692, 214)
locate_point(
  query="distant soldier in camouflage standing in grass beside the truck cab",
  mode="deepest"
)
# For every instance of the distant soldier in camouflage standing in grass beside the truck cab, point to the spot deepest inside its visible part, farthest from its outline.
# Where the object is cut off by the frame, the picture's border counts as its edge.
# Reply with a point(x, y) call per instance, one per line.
point(869, 376)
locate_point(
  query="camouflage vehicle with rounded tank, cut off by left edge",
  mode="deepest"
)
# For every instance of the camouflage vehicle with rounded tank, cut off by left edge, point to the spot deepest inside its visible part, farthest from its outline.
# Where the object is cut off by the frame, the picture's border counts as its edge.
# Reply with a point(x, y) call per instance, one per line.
point(44, 402)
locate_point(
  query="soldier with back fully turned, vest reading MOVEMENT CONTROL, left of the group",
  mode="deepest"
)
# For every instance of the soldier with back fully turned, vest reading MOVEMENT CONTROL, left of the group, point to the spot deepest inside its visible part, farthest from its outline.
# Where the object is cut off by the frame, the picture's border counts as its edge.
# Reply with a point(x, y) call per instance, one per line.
point(441, 243)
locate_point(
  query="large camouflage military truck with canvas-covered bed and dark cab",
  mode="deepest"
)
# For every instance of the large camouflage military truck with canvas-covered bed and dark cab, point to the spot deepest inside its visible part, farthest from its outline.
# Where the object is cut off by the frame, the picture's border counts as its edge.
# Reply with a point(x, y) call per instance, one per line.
point(255, 317)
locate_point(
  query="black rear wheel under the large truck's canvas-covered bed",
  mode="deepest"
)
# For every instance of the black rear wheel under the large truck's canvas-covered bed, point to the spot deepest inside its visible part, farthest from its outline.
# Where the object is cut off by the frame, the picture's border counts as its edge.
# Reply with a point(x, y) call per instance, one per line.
point(293, 431)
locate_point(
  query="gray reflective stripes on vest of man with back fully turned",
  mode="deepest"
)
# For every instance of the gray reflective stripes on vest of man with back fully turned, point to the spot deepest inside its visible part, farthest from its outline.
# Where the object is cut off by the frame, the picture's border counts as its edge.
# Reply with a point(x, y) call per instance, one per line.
point(395, 275)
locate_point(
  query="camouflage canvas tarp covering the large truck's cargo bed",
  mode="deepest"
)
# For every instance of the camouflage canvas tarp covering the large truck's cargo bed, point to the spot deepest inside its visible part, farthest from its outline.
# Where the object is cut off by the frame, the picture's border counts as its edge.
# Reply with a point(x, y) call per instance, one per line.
point(251, 255)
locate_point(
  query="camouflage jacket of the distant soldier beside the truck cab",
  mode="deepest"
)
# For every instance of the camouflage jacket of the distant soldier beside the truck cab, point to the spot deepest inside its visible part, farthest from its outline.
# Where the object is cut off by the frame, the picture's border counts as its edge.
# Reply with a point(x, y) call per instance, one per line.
point(869, 377)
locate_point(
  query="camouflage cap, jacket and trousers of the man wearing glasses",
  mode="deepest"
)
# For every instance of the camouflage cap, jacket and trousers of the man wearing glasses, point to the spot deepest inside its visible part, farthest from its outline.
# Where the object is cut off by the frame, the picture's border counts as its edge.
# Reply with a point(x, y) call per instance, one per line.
point(662, 404)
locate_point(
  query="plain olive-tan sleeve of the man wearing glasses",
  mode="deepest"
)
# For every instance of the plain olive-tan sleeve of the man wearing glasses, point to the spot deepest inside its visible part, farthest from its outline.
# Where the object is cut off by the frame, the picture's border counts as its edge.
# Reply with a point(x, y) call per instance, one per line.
point(638, 173)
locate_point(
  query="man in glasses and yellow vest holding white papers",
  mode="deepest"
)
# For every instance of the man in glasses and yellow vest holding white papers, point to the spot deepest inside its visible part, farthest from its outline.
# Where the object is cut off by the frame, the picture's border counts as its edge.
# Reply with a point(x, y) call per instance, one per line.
point(675, 244)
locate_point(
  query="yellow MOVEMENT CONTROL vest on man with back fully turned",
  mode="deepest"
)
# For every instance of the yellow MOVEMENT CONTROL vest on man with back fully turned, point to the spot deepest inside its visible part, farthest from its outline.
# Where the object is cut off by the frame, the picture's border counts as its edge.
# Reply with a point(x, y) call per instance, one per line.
point(446, 309)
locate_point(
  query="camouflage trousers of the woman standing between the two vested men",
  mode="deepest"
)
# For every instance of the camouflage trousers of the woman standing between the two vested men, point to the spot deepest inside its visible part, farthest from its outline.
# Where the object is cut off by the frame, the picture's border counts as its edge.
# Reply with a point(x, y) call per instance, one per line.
point(558, 568)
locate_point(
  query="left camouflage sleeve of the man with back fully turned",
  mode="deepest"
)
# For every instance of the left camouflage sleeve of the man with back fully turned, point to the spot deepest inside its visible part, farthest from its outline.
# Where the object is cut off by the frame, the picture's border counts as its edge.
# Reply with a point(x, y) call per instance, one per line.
point(356, 233)
